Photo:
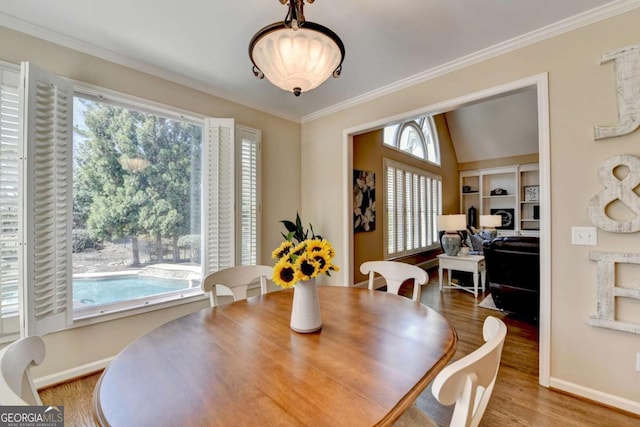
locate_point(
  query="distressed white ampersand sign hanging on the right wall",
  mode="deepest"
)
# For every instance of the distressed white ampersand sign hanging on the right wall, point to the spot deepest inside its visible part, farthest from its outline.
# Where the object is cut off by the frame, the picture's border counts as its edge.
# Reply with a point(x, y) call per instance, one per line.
point(617, 189)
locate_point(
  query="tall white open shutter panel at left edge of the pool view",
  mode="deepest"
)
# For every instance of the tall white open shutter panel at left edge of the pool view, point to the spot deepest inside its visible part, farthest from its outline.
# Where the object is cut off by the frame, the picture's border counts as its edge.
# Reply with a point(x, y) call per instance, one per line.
point(47, 138)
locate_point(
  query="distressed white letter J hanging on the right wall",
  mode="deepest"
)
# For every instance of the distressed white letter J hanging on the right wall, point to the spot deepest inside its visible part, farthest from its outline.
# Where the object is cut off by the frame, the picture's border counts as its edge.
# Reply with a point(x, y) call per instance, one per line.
point(627, 68)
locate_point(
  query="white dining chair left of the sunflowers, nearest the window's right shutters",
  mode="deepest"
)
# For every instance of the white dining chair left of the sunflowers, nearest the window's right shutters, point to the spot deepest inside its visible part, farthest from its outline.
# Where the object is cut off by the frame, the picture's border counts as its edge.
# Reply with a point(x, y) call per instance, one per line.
point(236, 281)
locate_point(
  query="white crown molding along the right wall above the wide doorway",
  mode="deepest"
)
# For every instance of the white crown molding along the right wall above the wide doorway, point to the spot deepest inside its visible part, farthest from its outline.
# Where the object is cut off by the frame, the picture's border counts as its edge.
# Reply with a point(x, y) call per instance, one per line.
point(561, 27)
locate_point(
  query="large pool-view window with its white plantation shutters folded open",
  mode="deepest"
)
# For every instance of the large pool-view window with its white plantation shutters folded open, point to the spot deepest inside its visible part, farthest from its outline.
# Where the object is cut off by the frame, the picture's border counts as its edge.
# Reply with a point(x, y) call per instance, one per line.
point(51, 175)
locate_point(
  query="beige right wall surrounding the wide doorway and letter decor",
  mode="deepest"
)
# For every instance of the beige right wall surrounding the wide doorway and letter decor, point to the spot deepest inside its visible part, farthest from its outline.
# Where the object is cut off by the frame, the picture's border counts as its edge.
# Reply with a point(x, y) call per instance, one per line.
point(596, 362)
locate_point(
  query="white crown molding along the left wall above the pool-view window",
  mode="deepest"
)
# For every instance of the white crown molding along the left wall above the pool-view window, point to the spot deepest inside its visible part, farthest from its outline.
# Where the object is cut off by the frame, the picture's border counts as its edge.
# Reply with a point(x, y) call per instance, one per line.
point(22, 26)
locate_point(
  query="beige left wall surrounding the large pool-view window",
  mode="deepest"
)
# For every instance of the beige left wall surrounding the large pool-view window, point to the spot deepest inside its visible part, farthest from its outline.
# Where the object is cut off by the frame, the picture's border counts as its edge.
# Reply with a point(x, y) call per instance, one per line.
point(281, 164)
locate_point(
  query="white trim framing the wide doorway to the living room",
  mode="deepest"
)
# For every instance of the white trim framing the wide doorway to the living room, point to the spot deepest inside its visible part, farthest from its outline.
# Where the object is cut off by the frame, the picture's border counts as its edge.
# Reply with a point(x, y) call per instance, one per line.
point(540, 82)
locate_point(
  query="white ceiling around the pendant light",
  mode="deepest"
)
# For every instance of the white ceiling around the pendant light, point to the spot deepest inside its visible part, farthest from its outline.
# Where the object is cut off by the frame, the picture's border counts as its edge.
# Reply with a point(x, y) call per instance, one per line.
point(205, 43)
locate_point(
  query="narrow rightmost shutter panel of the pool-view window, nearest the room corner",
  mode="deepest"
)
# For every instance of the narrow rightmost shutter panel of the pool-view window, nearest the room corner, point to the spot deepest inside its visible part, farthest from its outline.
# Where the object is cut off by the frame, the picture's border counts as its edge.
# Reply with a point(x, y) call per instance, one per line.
point(248, 194)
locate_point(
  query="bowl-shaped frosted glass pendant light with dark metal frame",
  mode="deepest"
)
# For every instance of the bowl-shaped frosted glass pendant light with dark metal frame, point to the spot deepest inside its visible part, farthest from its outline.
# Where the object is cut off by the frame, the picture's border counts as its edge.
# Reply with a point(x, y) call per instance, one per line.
point(296, 55)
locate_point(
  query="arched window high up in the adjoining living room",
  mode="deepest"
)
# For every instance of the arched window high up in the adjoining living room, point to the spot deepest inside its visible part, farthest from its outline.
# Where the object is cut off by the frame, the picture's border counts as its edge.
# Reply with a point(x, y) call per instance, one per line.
point(417, 137)
